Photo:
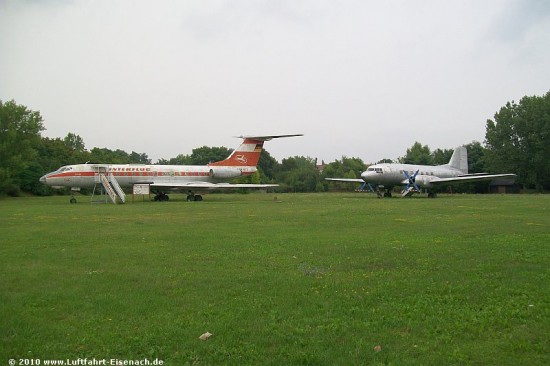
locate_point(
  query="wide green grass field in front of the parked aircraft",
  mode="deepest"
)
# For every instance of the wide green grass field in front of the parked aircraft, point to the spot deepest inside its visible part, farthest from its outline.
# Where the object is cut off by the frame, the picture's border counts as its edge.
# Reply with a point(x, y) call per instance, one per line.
point(302, 279)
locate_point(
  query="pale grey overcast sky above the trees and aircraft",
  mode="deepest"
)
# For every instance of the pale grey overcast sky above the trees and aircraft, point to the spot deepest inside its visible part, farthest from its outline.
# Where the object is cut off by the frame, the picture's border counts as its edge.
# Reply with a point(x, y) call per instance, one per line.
point(359, 78)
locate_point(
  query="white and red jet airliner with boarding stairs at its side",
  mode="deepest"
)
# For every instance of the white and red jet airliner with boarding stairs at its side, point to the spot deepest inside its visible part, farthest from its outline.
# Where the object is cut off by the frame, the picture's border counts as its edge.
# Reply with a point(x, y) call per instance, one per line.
point(191, 178)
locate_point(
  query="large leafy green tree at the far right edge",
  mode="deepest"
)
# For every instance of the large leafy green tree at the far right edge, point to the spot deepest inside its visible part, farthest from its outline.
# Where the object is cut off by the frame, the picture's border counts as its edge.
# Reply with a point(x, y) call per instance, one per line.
point(517, 141)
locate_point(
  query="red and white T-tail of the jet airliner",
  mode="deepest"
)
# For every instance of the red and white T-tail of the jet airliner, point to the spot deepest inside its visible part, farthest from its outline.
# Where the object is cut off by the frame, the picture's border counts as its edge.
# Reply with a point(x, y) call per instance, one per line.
point(248, 153)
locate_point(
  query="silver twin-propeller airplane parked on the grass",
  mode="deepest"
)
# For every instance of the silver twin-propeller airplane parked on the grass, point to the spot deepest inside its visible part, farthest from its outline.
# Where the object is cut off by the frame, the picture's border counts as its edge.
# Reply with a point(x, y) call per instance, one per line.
point(413, 177)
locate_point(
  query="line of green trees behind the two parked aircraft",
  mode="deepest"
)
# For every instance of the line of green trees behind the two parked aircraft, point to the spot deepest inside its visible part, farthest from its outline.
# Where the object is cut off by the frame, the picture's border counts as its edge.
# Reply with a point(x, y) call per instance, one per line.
point(516, 141)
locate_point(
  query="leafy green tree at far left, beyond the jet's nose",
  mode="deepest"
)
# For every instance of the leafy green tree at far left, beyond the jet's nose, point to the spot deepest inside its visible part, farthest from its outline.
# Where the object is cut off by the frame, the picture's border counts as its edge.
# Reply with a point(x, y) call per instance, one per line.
point(19, 138)
